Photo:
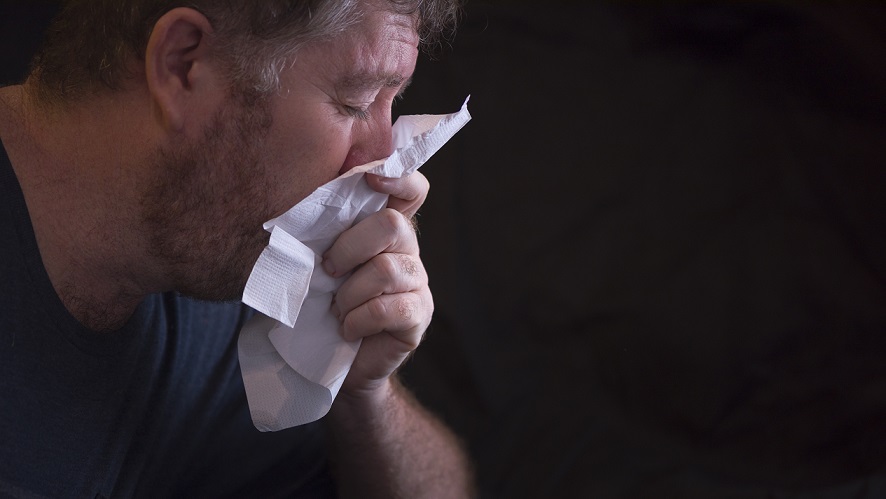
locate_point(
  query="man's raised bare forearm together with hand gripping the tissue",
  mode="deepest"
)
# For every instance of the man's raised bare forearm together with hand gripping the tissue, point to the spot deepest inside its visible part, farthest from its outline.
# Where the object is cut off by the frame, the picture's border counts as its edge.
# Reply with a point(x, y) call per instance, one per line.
point(384, 444)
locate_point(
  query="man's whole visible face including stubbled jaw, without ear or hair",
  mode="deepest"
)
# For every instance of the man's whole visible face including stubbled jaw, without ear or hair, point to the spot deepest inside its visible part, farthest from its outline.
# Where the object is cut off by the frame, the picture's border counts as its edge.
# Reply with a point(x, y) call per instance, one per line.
point(254, 161)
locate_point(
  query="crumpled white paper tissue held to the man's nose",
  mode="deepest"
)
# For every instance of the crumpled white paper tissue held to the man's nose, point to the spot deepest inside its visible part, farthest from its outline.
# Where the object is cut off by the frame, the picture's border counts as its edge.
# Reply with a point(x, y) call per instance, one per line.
point(292, 356)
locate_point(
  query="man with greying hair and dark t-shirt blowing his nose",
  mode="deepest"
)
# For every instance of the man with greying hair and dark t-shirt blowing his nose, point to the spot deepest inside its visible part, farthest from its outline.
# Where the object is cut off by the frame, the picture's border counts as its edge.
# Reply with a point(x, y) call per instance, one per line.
point(139, 161)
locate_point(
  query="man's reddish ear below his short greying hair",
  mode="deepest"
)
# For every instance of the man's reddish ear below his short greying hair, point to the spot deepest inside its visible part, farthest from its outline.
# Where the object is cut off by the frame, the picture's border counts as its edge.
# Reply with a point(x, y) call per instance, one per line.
point(179, 76)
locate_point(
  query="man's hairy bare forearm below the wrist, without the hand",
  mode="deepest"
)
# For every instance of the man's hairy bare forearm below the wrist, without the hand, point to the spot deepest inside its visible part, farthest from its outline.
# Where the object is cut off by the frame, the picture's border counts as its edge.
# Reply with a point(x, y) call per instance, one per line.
point(388, 446)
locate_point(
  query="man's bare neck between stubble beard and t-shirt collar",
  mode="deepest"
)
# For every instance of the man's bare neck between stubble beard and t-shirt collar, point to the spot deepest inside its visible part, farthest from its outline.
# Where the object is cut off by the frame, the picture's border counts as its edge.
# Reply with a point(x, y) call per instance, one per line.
point(78, 172)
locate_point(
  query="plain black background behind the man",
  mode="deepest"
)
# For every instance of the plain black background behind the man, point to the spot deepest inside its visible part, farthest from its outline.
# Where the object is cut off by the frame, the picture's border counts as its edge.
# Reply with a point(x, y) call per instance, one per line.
point(658, 252)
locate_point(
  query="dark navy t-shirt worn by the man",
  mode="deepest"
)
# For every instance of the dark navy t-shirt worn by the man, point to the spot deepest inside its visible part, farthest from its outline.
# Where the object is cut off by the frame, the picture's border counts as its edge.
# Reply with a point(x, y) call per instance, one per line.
point(156, 409)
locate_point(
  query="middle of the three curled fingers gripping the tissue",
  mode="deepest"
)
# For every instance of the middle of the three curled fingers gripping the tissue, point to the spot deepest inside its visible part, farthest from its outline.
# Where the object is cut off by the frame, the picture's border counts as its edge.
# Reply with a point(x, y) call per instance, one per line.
point(387, 273)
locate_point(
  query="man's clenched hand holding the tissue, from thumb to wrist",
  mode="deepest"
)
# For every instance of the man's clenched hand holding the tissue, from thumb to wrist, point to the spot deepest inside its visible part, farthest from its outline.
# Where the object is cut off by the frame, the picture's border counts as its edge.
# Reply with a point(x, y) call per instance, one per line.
point(386, 301)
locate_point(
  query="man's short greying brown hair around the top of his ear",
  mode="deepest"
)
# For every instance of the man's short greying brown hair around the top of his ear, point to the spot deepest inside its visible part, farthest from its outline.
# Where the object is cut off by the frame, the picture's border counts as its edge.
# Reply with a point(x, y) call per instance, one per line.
point(89, 42)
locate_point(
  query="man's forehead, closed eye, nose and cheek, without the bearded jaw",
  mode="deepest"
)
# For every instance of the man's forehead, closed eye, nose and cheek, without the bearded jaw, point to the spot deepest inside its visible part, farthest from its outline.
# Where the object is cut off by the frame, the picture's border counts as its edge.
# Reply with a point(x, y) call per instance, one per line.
point(333, 111)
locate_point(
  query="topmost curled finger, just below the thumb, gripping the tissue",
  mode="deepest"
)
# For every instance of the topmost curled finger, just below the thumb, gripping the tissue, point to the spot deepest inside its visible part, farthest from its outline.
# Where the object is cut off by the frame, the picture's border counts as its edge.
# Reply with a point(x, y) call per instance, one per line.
point(387, 231)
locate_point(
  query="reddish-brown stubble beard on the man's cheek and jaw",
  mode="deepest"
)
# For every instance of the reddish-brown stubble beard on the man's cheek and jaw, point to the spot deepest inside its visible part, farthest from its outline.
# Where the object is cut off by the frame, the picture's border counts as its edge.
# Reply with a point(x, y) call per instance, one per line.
point(204, 212)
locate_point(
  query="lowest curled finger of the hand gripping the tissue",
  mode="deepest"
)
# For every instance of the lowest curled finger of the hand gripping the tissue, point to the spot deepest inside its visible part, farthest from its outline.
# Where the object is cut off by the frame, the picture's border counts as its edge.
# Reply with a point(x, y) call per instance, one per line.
point(404, 316)
